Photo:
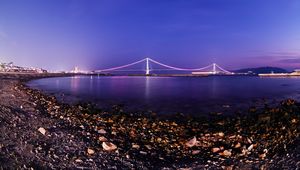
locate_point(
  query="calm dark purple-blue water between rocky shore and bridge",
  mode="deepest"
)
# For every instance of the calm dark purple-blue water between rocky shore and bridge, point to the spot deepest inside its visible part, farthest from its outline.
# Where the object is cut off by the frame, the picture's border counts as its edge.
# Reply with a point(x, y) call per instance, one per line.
point(190, 95)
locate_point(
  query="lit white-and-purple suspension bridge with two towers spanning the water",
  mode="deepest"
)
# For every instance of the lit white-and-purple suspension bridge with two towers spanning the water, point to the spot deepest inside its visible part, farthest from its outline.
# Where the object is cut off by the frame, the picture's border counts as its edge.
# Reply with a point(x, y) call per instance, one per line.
point(212, 69)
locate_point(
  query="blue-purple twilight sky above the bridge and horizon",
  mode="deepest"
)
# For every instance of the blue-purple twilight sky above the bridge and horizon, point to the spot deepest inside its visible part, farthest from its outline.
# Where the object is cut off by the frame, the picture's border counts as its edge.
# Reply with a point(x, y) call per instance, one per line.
point(96, 34)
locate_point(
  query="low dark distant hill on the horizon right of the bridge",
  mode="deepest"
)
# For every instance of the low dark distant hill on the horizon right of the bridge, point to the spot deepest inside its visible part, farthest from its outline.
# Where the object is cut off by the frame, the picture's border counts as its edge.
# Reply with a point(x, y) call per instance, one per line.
point(260, 70)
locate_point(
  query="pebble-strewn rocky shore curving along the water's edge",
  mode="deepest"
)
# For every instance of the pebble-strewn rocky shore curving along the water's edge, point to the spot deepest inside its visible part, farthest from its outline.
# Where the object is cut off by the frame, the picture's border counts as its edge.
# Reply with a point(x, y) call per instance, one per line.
point(39, 132)
